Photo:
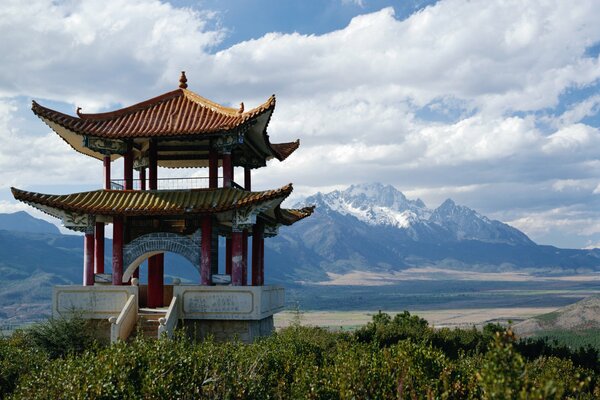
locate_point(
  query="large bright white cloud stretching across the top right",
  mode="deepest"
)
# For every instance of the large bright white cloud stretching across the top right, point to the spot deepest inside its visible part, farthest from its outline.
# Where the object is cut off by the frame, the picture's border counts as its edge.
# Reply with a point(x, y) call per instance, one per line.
point(497, 55)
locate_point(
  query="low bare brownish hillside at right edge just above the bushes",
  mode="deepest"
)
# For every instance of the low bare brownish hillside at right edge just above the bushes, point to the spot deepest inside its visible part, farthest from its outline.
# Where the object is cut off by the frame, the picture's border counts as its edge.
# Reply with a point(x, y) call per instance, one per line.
point(580, 316)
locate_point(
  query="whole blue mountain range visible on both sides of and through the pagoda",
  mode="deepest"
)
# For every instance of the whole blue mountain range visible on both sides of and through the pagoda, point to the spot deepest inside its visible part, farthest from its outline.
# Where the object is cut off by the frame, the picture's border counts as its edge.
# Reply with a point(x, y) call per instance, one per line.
point(368, 228)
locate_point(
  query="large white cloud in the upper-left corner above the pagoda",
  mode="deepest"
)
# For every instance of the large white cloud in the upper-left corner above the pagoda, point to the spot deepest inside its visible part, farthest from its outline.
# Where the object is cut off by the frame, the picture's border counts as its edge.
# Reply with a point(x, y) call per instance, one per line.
point(98, 52)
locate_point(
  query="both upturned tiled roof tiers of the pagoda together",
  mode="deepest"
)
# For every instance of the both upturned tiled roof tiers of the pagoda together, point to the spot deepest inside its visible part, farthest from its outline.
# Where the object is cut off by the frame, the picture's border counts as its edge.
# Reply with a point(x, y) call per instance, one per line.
point(184, 128)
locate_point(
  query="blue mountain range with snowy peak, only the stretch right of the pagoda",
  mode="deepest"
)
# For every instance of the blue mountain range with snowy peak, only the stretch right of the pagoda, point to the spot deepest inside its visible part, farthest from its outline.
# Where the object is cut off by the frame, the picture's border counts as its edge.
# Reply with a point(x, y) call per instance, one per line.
point(374, 227)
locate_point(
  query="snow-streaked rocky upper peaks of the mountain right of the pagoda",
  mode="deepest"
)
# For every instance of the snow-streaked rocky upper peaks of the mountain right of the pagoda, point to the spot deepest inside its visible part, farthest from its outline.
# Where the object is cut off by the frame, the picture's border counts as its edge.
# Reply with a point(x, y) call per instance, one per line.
point(383, 205)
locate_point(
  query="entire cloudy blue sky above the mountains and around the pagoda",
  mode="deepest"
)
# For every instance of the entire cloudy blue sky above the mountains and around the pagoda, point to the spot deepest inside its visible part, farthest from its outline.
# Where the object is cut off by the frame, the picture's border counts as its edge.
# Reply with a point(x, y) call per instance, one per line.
point(493, 103)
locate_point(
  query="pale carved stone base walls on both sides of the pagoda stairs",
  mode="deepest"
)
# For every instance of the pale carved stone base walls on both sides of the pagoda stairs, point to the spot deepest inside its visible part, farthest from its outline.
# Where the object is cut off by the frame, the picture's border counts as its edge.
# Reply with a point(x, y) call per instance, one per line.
point(223, 312)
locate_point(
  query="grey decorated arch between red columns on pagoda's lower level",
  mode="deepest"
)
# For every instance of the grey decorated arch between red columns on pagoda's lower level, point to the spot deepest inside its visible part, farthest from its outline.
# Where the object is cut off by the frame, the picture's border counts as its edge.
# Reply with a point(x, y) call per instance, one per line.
point(139, 249)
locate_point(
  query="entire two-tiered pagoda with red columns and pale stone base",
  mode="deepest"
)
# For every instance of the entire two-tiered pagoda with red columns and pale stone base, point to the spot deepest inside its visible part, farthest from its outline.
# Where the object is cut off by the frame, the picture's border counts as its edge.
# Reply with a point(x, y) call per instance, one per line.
point(187, 216)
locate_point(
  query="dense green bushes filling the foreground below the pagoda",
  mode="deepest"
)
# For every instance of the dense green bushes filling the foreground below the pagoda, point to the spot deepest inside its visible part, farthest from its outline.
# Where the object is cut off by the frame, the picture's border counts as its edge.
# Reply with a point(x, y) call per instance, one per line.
point(390, 358)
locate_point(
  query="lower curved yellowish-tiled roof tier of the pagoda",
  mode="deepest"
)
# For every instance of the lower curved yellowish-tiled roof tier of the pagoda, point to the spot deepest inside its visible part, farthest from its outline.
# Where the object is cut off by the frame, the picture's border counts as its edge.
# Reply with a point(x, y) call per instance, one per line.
point(229, 205)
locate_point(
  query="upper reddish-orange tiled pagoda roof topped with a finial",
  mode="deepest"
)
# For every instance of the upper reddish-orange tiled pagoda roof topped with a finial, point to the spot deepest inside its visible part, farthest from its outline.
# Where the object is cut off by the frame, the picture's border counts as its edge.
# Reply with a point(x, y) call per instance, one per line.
point(183, 124)
